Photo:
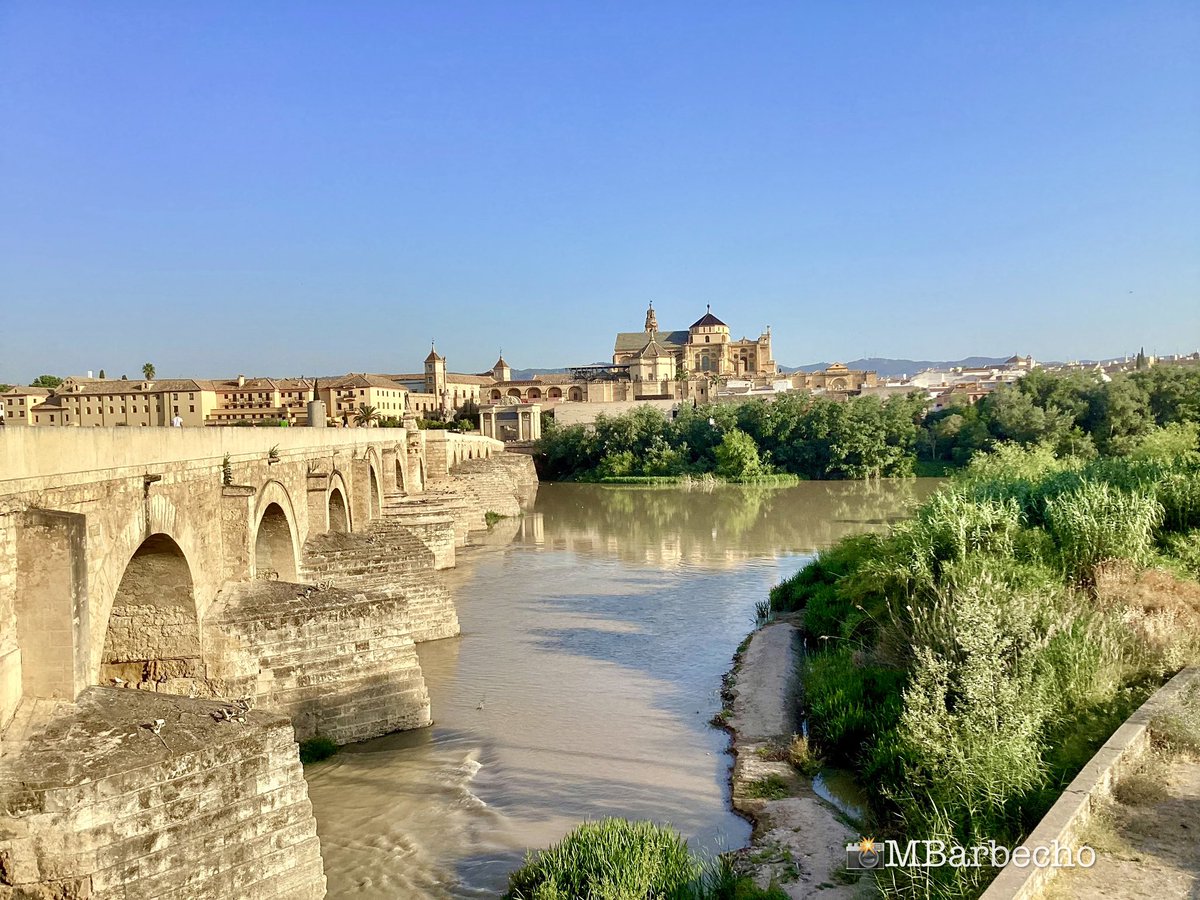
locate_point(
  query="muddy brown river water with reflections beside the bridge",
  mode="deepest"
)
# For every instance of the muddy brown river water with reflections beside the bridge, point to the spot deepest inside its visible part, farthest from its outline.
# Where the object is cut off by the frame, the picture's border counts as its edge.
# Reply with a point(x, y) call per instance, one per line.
point(596, 632)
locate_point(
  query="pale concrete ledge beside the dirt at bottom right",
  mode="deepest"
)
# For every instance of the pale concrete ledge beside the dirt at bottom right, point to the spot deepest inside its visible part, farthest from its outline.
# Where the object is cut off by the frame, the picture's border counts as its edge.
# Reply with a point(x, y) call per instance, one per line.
point(1072, 813)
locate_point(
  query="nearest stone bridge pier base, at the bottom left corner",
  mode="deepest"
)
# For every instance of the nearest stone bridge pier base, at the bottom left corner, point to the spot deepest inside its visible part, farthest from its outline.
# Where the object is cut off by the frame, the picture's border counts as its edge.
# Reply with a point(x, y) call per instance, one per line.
point(97, 806)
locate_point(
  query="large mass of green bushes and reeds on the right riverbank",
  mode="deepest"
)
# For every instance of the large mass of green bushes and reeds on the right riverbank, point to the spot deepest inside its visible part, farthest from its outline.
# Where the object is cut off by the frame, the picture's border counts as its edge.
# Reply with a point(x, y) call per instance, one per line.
point(971, 662)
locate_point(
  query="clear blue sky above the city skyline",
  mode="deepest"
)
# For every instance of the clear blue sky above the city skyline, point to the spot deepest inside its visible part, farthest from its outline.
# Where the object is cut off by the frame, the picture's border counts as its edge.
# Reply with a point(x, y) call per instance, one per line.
point(285, 189)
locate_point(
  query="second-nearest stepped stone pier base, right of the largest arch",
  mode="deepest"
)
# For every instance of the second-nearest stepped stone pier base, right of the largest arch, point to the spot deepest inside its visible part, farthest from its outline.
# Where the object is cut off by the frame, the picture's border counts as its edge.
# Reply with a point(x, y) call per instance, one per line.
point(343, 665)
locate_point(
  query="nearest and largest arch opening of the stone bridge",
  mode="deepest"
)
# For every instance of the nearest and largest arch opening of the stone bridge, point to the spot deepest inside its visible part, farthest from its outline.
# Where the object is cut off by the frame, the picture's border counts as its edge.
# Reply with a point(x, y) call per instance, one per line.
point(154, 638)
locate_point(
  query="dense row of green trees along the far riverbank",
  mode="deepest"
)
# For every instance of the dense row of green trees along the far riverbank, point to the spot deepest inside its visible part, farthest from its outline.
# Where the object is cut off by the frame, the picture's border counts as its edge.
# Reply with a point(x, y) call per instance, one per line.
point(1079, 415)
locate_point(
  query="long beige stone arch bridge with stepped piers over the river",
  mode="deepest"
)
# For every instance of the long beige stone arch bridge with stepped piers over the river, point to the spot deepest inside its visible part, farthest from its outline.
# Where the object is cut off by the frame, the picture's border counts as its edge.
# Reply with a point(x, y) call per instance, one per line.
point(242, 589)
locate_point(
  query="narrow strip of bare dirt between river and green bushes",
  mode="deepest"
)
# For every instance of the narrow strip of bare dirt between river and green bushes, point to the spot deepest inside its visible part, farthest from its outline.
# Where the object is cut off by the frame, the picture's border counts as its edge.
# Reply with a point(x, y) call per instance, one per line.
point(800, 842)
